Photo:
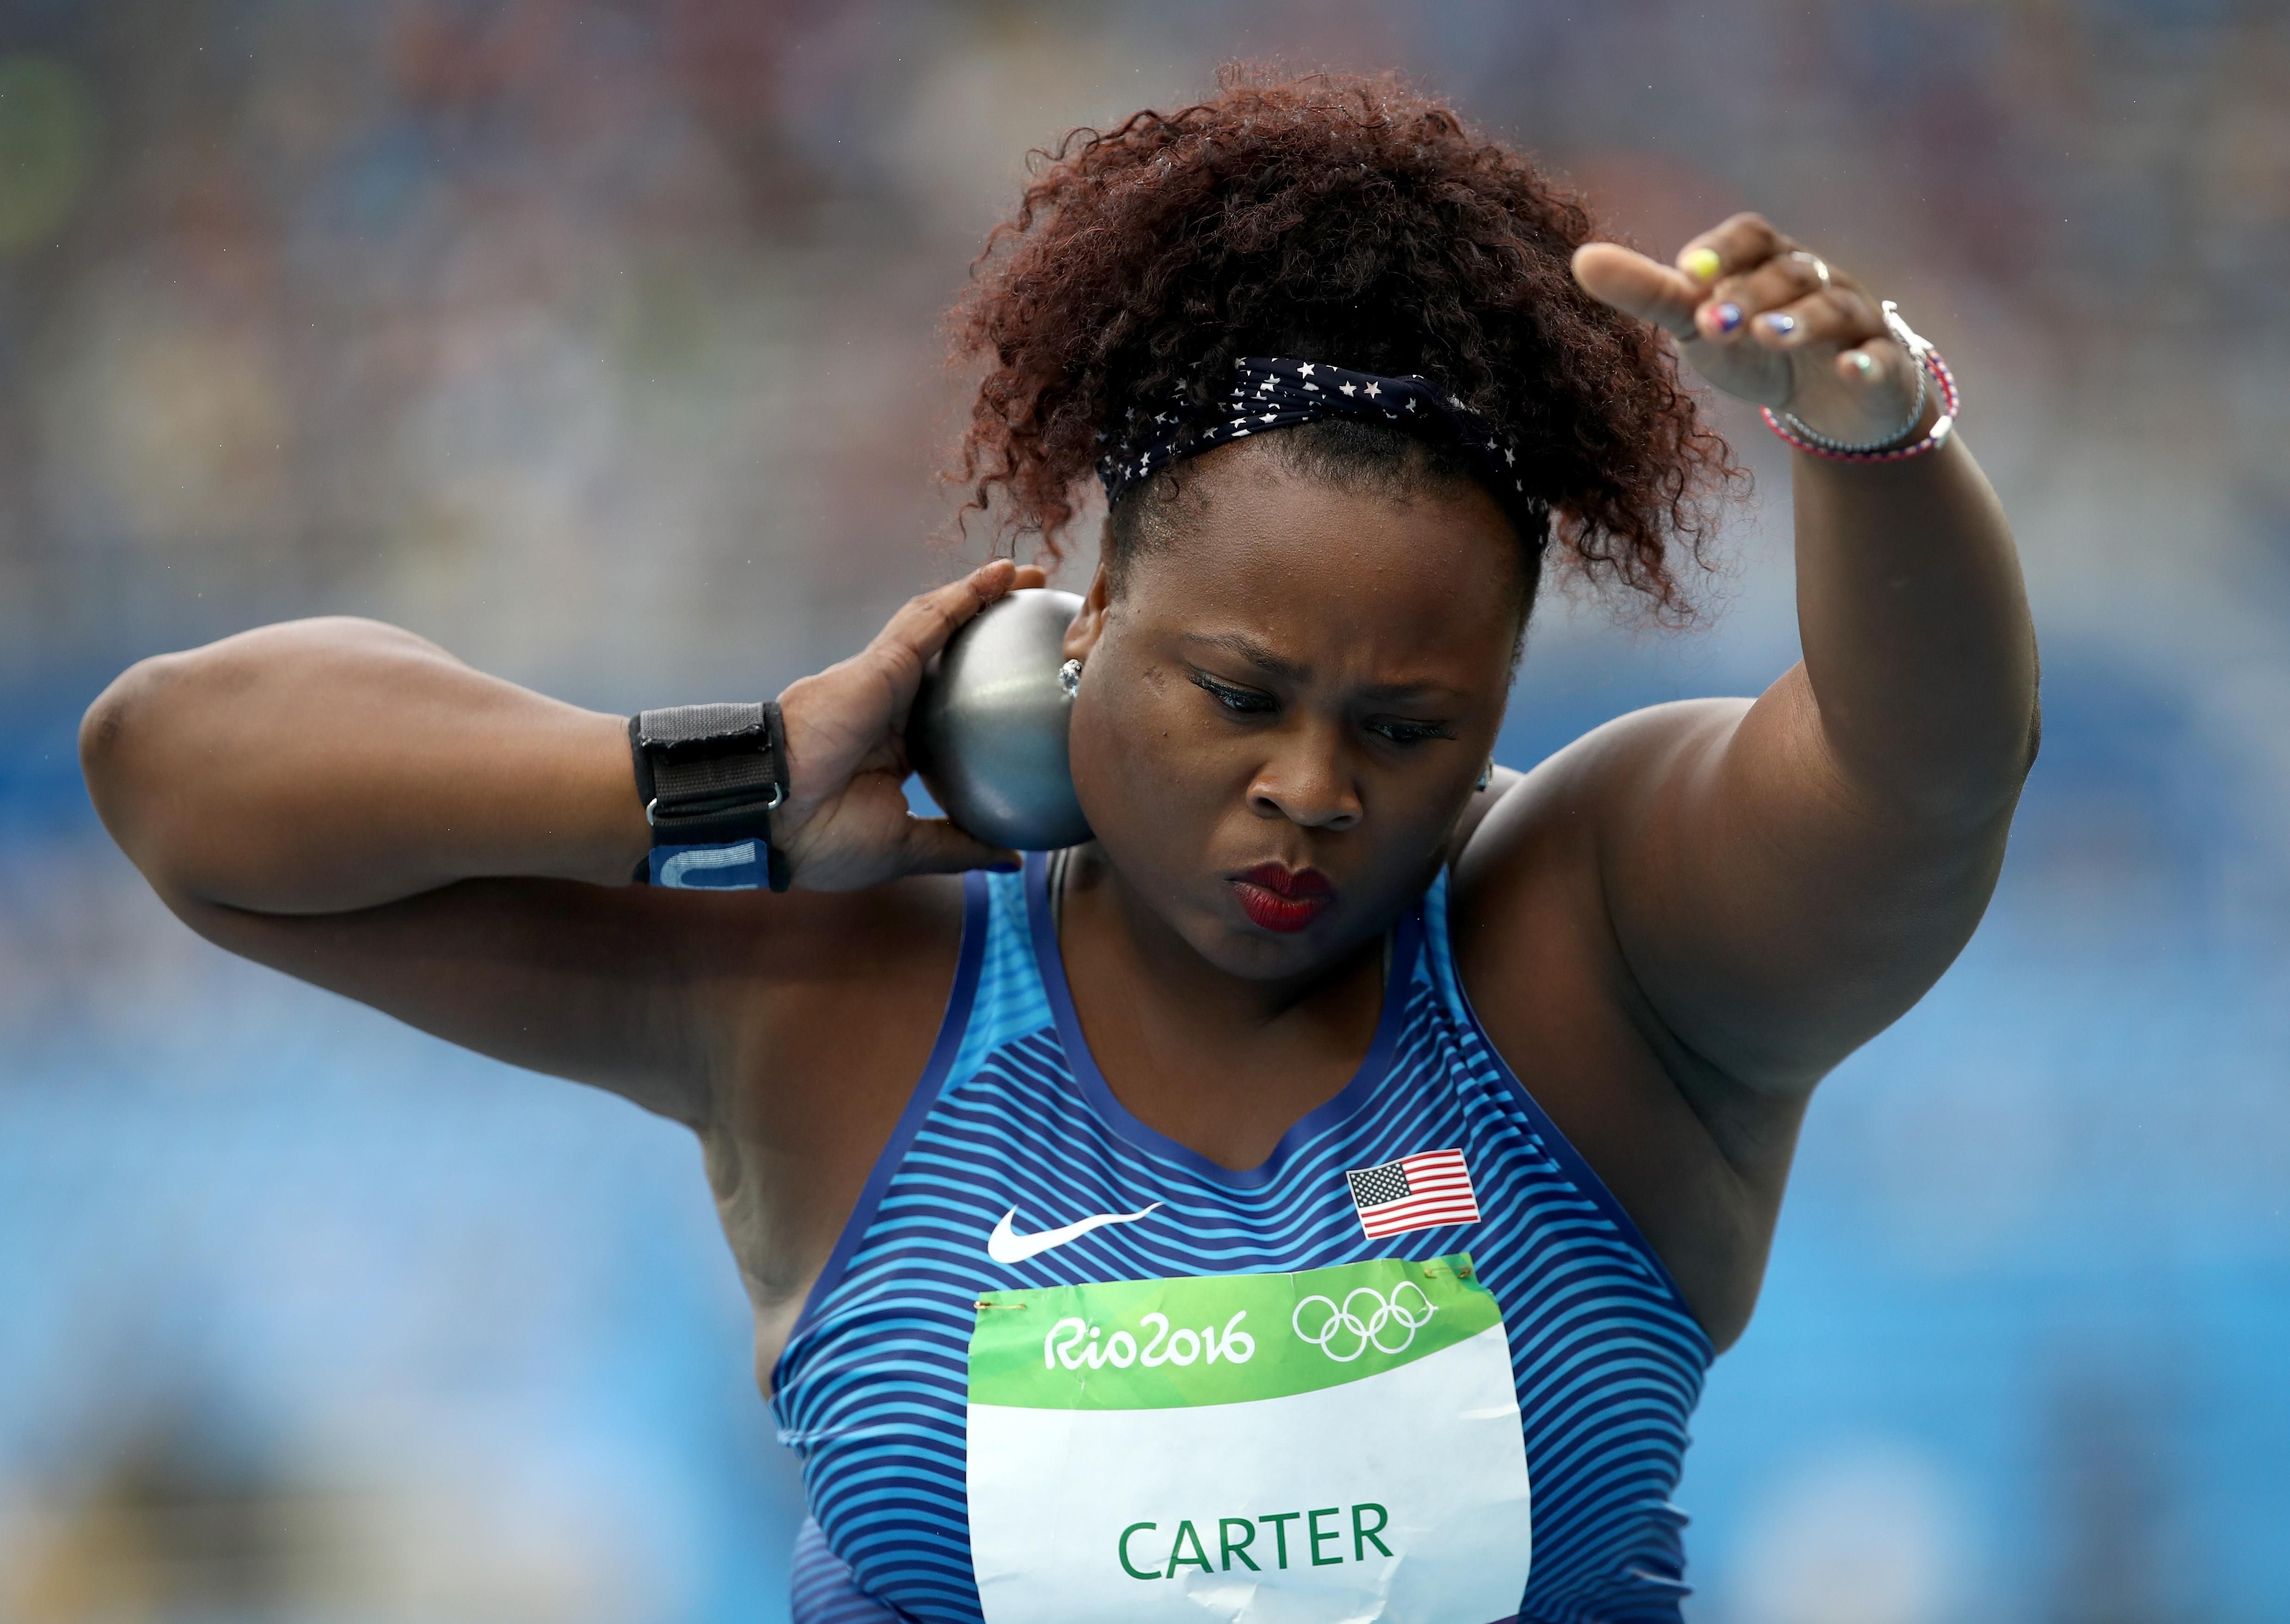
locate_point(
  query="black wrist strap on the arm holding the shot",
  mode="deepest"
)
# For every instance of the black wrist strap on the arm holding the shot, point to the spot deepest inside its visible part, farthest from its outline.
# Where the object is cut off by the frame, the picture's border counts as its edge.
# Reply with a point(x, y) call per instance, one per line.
point(711, 775)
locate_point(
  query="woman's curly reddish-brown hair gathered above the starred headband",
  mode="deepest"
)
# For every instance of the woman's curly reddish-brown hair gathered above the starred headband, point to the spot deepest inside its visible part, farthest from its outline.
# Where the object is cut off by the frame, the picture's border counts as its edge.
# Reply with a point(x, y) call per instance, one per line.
point(1345, 221)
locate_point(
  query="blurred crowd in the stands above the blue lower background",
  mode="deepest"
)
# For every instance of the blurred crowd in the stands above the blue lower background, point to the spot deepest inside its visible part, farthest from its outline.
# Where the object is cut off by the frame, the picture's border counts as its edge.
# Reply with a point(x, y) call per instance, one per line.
point(574, 326)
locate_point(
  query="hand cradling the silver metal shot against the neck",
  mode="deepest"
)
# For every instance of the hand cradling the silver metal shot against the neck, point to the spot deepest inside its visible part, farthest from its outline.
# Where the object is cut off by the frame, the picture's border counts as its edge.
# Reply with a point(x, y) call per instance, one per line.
point(846, 821)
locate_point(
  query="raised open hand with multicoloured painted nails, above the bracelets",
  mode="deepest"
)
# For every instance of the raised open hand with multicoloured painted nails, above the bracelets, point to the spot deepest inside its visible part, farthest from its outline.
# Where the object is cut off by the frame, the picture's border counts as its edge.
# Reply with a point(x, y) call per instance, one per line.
point(1771, 324)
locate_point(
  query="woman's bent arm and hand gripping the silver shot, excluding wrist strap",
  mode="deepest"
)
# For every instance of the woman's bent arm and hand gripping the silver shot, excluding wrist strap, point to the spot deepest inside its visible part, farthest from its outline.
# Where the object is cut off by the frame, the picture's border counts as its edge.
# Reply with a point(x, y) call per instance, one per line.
point(356, 807)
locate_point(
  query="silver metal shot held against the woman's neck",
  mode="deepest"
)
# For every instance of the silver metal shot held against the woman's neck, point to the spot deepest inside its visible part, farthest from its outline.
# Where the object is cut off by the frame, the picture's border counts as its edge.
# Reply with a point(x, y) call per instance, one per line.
point(988, 730)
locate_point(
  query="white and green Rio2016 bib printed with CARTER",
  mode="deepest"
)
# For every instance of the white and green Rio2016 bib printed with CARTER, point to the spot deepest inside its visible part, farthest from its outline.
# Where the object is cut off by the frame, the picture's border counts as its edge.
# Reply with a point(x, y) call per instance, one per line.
point(1270, 1449)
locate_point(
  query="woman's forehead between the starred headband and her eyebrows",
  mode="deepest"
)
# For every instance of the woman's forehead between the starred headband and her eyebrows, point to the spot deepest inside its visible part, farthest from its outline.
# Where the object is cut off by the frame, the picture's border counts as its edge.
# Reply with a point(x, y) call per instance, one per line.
point(1384, 574)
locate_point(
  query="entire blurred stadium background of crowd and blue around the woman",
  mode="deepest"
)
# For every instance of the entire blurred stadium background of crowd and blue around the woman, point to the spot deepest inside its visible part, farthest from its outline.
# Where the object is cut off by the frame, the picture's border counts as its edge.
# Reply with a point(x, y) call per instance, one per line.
point(599, 342)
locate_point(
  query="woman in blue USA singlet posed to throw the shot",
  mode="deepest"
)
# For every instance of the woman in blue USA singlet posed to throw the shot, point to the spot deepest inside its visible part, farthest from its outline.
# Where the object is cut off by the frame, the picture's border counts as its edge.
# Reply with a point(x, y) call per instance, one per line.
point(1320, 1195)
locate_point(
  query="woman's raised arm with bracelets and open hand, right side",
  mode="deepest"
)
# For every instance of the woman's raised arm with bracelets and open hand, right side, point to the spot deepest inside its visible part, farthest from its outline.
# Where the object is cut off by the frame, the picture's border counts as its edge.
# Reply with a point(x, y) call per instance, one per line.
point(1785, 878)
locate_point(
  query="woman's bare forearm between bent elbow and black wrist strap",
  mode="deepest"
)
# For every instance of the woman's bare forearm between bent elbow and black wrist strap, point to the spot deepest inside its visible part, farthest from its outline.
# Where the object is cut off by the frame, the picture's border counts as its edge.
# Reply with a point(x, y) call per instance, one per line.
point(333, 766)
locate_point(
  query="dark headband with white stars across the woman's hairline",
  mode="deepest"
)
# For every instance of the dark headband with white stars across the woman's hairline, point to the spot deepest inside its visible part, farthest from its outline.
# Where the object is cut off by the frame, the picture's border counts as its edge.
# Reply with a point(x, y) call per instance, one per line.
point(1281, 393)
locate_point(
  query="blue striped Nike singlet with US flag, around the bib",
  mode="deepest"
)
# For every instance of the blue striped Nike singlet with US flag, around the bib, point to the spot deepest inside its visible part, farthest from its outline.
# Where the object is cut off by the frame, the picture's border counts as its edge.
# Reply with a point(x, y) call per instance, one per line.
point(1013, 1114)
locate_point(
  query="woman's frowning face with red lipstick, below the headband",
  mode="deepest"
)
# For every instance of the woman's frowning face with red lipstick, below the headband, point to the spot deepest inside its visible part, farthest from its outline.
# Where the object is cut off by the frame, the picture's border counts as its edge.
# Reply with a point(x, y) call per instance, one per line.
point(1286, 707)
